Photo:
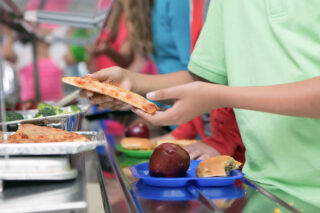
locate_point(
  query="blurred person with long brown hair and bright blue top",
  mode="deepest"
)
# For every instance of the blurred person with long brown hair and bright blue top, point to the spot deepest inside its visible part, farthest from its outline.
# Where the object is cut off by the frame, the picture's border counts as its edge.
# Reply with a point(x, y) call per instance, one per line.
point(159, 28)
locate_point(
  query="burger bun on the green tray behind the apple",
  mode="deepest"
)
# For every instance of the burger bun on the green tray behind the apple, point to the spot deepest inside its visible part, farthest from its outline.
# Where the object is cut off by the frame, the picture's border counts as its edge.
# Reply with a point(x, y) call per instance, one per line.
point(137, 143)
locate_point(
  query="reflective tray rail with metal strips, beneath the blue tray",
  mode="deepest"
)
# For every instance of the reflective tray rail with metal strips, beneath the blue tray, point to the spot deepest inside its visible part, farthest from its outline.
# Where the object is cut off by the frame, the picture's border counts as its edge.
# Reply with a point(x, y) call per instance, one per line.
point(128, 194)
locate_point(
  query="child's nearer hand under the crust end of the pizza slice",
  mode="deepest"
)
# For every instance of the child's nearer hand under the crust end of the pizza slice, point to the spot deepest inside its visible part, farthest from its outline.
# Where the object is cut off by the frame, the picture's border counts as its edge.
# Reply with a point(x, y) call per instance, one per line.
point(191, 100)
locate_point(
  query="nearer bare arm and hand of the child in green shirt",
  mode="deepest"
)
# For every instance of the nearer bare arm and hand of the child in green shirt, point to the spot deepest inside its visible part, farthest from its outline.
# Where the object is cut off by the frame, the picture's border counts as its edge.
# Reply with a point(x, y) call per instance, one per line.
point(295, 99)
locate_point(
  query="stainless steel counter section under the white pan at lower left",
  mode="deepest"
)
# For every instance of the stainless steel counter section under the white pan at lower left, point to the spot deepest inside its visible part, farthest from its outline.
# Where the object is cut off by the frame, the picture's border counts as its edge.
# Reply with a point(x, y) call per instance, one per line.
point(48, 196)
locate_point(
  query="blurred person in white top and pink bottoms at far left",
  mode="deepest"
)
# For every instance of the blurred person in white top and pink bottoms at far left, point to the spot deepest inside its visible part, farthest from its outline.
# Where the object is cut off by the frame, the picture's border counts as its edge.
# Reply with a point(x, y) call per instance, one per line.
point(18, 51)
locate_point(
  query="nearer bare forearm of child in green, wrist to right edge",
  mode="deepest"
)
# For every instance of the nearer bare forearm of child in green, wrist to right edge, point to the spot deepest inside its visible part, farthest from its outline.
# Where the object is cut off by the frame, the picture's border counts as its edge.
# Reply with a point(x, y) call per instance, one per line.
point(296, 99)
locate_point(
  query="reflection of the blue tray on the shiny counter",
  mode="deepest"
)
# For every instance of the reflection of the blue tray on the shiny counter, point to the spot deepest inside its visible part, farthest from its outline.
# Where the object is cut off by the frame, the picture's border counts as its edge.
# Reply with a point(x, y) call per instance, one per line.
point(185, 193)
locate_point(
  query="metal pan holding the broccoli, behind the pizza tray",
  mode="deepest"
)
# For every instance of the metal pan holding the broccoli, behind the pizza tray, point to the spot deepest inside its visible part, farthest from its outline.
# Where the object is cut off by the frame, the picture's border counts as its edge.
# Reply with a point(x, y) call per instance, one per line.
point(69, 122)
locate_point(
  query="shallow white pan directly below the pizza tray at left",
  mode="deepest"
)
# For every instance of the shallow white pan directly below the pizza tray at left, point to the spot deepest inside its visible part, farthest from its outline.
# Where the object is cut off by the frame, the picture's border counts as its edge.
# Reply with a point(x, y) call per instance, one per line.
point(36, 168)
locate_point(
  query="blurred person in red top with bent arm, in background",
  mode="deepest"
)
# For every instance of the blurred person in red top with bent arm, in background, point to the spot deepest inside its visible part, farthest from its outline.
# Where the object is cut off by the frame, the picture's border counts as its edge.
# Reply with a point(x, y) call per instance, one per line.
point(114, 46)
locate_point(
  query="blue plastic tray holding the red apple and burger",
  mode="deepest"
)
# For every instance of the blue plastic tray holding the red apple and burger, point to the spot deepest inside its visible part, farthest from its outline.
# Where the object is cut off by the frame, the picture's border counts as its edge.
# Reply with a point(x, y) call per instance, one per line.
point(142, 171)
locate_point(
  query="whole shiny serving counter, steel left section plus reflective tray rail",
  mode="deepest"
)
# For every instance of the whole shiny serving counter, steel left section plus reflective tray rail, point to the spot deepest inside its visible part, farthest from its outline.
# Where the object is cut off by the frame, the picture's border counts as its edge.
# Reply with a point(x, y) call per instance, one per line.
point(116, 190)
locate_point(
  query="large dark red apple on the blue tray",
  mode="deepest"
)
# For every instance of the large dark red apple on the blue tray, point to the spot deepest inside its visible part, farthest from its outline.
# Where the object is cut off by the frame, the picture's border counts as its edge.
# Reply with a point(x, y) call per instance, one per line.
point(169, 160)
